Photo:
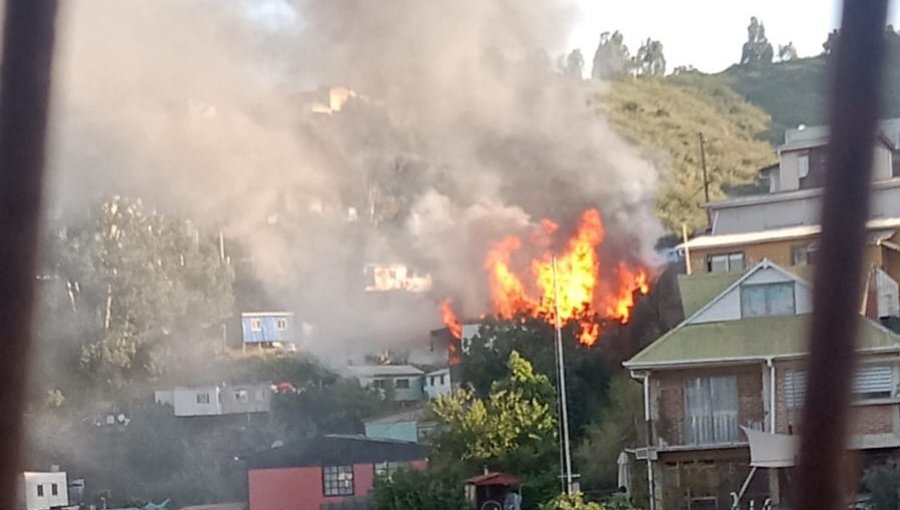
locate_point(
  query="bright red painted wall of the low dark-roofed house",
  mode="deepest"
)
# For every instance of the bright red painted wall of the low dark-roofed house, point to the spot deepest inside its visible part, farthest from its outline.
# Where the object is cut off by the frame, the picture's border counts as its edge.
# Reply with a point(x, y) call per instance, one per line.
point(301, 488)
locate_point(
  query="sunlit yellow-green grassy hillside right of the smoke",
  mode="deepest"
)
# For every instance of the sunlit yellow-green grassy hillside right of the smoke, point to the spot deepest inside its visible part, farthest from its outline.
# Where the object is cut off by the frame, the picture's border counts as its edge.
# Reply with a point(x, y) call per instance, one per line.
point(664, 118)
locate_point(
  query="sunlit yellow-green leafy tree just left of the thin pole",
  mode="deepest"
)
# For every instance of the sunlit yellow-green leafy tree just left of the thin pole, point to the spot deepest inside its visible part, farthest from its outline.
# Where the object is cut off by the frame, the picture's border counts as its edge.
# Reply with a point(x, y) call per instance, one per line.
point(513, 430)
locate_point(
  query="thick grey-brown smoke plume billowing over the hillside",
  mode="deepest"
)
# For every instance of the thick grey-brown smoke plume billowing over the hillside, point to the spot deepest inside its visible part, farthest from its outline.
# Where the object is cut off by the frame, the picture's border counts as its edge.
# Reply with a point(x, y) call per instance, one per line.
point(458, 132)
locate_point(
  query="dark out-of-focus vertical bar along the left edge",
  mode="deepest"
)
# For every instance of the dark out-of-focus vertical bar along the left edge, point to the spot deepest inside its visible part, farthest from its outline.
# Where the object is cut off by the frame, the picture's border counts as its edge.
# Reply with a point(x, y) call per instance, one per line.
point(24, 91)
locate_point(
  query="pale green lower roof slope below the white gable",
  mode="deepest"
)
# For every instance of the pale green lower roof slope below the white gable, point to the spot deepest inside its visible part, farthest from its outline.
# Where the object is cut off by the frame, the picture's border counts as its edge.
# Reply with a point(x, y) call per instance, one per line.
point(758, 337)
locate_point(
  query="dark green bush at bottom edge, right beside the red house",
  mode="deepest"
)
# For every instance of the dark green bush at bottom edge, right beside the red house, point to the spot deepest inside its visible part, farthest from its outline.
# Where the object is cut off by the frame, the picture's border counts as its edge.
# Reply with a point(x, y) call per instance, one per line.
point(417, 490)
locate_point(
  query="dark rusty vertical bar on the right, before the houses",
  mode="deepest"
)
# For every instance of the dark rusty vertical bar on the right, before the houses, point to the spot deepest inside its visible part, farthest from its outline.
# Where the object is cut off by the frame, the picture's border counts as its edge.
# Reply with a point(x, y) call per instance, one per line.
point(853, 114)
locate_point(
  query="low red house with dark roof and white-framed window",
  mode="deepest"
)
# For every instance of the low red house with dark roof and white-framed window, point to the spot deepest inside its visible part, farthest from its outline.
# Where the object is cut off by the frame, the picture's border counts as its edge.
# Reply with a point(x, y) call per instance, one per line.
point(330, 470)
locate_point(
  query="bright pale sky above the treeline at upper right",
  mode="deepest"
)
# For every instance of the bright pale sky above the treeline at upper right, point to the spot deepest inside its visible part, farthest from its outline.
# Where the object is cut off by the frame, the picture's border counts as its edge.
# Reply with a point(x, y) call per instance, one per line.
point(707, 34)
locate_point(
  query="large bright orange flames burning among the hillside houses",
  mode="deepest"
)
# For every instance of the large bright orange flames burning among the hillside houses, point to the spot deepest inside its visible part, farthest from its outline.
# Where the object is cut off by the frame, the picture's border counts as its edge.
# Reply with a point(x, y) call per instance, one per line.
point(585, 293)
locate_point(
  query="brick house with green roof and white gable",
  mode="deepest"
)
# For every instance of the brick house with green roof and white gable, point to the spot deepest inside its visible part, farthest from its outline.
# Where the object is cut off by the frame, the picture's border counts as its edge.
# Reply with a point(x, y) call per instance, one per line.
point(737, 360)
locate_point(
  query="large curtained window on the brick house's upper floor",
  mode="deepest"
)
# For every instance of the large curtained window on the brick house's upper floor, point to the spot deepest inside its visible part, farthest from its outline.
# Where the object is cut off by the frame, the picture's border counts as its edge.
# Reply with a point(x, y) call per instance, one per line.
point(711, 405)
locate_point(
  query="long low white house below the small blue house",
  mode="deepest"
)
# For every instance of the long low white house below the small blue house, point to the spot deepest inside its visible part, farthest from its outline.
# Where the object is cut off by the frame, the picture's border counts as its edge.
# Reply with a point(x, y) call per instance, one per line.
point(217, 400)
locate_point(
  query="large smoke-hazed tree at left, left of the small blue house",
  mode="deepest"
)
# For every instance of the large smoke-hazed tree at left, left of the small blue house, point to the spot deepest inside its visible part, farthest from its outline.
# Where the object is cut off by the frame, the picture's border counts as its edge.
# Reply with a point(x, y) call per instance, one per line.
point(132, 278)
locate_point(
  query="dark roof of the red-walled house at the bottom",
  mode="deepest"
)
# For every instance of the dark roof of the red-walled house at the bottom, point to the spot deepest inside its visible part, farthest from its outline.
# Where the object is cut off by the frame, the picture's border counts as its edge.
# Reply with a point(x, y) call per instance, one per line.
point(336, 450)
